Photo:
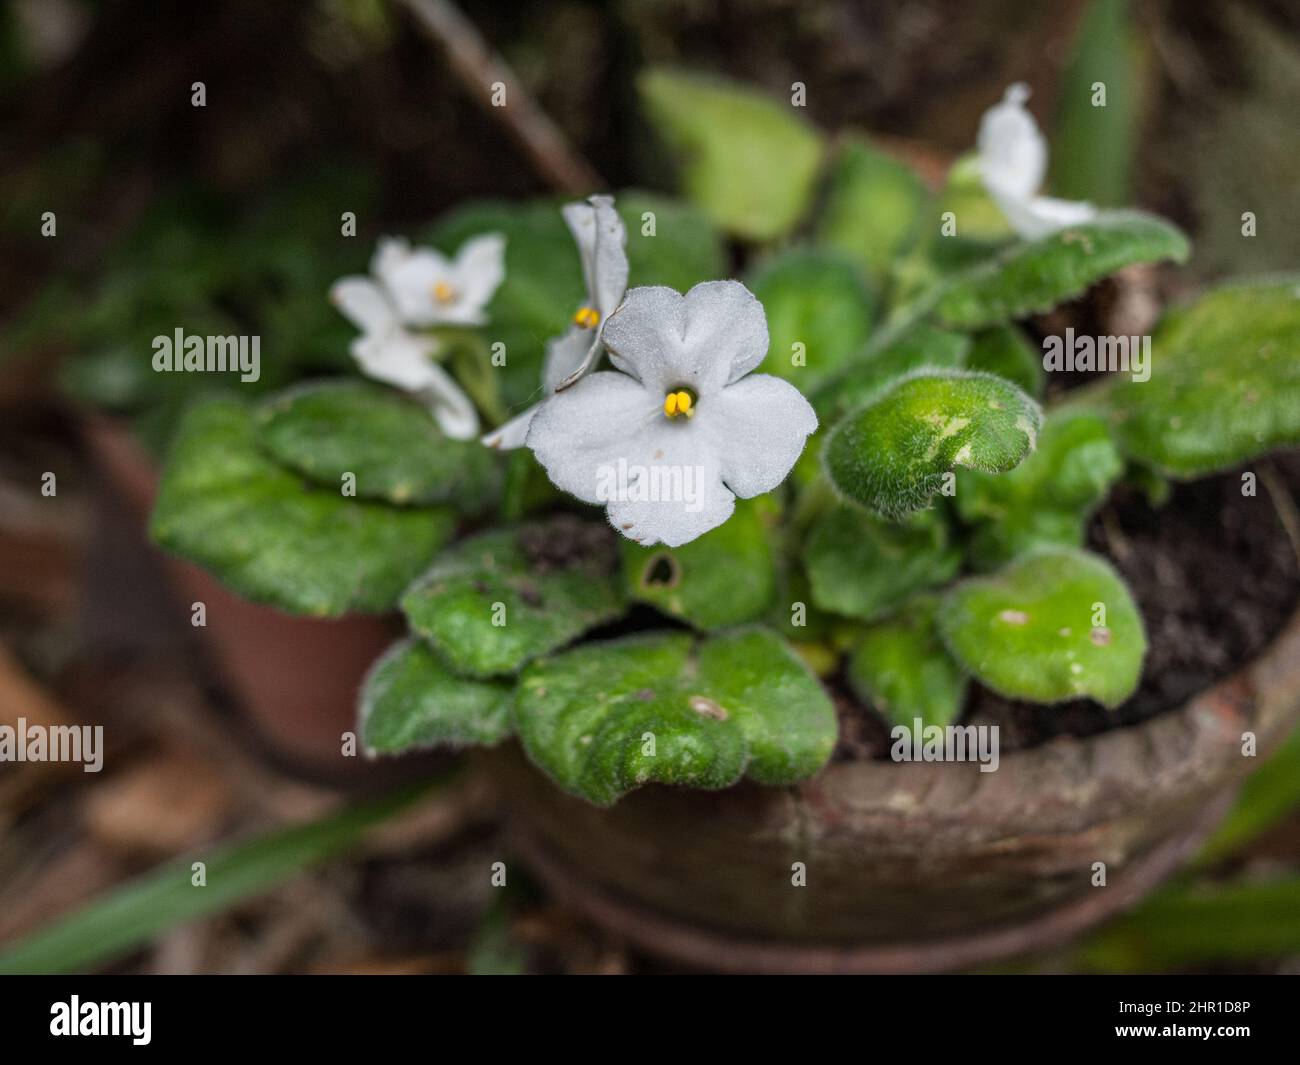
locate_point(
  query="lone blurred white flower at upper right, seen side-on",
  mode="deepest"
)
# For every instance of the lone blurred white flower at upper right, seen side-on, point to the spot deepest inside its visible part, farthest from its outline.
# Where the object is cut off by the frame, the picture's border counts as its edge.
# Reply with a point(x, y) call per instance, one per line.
point(1013, 163)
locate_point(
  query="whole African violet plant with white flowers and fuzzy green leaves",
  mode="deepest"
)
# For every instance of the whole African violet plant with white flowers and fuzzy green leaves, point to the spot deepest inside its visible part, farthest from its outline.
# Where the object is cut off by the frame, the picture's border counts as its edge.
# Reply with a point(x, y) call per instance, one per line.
point(931, 530)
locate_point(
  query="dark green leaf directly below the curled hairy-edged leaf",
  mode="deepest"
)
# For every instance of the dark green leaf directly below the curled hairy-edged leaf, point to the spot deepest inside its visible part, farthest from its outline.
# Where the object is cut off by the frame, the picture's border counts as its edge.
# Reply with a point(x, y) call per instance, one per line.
point(865, 568)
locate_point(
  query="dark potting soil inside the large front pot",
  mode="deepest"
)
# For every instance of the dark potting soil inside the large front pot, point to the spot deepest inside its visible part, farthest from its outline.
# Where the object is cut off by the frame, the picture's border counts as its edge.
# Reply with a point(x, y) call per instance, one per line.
point(1215, 575)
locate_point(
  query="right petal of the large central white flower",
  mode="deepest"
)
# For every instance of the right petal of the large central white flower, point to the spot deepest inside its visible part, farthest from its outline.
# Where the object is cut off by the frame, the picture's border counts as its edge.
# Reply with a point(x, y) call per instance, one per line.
point(756, 430)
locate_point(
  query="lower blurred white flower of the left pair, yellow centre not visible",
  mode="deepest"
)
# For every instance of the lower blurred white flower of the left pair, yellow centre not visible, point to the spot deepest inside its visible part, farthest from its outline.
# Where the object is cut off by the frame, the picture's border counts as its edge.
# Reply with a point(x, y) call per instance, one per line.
point(388, 352)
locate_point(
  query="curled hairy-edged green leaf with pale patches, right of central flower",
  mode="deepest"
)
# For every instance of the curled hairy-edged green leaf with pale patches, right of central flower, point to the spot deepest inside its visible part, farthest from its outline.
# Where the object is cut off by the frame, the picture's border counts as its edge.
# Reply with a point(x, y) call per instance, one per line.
point(892, 454)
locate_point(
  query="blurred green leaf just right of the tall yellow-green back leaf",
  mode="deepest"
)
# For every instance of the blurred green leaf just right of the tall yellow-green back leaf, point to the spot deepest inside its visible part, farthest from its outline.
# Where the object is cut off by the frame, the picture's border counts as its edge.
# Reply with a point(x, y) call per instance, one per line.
point(873, 210)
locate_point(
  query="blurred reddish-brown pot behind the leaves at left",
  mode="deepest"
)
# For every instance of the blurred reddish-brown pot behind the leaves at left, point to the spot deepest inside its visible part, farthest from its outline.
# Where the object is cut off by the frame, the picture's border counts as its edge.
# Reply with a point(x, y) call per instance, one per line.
point(296, 678)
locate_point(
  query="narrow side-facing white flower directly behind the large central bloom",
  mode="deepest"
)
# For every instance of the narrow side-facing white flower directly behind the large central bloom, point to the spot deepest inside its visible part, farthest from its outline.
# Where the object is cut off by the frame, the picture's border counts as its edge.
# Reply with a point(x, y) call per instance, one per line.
point(603, 244)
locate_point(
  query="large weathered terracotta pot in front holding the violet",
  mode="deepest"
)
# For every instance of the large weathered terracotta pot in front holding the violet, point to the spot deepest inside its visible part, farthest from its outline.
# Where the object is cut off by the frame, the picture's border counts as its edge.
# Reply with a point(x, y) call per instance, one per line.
point(911, 867)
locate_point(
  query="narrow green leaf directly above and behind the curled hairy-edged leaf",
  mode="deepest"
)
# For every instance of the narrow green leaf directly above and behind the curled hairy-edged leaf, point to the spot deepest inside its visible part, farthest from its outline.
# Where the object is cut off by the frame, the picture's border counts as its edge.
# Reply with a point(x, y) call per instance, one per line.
point(891, 356)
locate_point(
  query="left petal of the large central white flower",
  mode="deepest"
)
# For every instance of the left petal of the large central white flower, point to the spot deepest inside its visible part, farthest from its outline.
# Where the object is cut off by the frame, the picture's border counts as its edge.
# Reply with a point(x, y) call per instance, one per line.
point(588, 428)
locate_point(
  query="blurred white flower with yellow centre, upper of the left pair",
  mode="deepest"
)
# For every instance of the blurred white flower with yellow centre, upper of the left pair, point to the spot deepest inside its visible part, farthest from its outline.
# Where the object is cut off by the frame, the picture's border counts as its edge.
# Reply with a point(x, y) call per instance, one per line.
point(430, 289)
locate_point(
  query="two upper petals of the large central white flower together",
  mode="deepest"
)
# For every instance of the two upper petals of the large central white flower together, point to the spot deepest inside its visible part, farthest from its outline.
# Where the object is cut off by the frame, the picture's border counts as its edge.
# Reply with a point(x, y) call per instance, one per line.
point(704, 340)
